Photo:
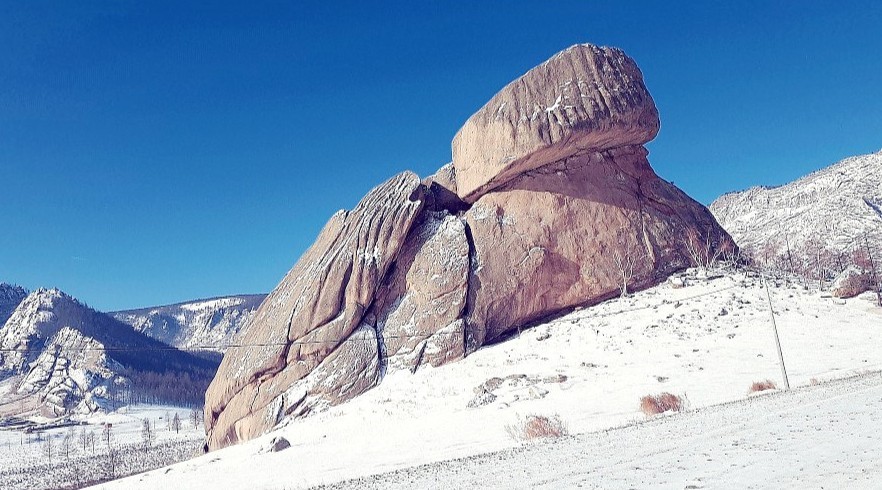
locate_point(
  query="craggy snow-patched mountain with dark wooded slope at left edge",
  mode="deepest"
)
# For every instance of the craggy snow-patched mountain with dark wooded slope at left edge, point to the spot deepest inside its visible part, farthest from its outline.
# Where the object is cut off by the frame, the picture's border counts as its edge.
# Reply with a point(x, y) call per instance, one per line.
point(59, 356)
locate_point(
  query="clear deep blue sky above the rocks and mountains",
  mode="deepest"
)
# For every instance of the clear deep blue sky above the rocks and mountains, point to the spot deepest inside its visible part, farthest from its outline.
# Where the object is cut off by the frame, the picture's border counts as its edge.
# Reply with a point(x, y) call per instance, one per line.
point(155, 152)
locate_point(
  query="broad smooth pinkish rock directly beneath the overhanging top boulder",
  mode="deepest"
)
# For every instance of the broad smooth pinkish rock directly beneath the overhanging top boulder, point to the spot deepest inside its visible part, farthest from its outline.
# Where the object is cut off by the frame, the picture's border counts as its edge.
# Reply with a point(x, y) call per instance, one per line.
point(547, 240)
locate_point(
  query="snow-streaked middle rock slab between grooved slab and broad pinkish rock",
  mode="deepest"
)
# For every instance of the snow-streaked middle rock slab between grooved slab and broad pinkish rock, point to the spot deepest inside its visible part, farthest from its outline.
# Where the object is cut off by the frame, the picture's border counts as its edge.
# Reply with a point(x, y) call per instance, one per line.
point(418, 311)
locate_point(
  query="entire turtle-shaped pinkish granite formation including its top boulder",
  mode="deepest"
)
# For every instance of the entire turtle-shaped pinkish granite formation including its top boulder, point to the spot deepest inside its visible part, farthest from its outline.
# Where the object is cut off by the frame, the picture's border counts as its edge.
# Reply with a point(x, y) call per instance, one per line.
point(549, 203)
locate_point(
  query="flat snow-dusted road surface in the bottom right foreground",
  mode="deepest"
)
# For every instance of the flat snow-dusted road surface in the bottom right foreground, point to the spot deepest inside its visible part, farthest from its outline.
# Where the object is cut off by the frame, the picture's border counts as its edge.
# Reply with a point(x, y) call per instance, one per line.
point(821, 436)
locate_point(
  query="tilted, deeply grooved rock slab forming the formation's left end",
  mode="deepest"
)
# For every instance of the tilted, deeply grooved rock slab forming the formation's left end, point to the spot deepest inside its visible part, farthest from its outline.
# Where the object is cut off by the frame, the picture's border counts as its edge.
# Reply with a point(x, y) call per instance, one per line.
point(304, 347)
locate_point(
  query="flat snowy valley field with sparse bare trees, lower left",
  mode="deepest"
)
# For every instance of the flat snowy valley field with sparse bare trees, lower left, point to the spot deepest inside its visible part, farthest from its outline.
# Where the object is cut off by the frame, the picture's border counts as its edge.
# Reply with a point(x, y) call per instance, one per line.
point(25, 462)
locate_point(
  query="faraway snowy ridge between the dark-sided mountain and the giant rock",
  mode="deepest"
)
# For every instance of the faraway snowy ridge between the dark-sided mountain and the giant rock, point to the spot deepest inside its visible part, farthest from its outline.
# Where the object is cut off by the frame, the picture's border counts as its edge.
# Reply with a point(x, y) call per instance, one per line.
point(212, 323)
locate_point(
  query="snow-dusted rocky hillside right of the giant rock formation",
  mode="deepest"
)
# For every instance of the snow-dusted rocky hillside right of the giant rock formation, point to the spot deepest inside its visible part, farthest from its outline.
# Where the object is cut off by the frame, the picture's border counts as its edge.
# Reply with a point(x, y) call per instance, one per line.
point(835, 205)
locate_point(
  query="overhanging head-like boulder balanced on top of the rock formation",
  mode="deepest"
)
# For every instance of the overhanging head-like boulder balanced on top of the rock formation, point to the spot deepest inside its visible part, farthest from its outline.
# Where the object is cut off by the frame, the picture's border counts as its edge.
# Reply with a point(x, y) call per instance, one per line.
point(585, 98)
